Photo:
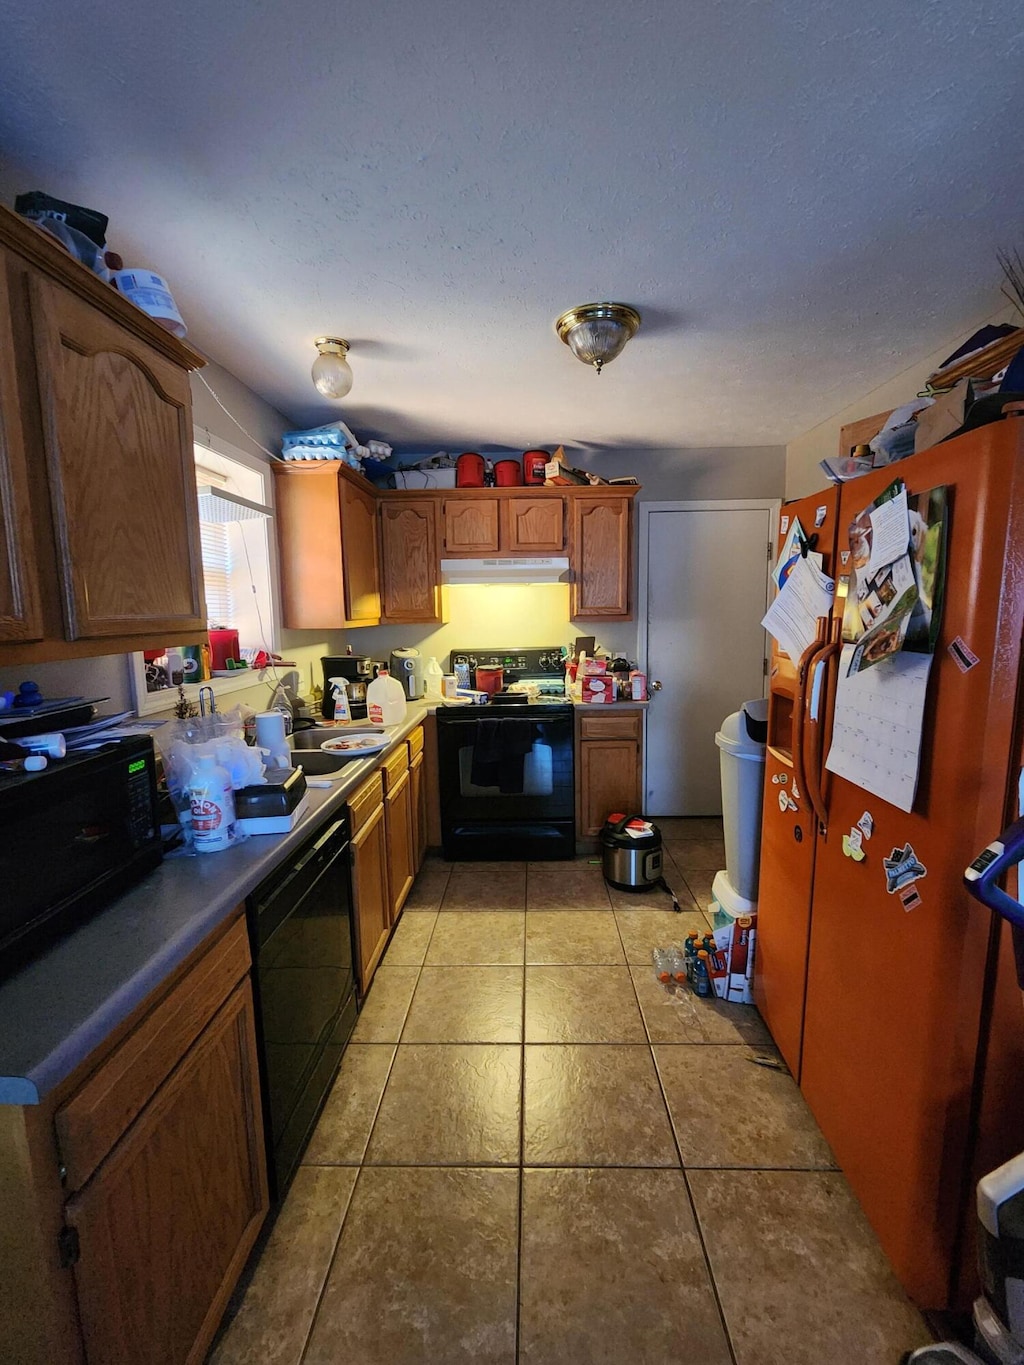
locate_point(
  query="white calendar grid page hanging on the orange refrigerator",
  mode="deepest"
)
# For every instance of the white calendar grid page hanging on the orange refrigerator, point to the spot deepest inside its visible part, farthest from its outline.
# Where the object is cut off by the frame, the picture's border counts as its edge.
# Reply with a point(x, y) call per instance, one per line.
point(880, 713)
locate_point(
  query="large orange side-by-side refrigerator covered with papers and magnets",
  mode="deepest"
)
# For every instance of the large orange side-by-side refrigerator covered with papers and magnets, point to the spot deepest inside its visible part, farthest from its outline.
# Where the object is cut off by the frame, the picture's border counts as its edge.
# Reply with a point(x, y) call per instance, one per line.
point(896, 1008)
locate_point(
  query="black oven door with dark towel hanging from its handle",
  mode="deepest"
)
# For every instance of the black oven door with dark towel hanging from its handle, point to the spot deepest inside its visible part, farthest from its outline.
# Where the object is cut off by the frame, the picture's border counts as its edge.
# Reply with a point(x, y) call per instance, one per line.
point(507, 786)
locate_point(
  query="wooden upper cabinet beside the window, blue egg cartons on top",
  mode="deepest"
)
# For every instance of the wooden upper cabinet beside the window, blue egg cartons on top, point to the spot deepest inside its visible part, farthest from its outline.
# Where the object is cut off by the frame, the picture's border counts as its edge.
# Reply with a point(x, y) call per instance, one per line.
point(327, 538)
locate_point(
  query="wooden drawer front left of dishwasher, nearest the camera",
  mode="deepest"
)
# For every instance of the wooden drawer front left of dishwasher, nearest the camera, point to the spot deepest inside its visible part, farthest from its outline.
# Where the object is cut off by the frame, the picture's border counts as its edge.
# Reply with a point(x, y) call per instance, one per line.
point(91, 1124)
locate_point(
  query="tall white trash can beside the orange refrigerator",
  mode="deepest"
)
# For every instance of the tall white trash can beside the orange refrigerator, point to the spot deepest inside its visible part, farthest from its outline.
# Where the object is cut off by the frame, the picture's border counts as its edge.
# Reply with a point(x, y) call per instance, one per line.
point(742, 743)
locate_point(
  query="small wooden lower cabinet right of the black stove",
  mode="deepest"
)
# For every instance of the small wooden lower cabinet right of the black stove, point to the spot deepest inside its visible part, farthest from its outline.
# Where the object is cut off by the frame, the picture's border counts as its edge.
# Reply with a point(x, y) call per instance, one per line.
point(610, 768)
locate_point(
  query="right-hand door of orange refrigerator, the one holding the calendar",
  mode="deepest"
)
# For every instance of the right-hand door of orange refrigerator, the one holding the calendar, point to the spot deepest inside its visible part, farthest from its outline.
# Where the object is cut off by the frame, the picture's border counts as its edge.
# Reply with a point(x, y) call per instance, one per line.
point(899, 989)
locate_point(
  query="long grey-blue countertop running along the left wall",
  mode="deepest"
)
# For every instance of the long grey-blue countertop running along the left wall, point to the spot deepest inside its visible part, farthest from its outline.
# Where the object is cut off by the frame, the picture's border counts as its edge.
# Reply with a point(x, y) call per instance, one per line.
point(58, 1009)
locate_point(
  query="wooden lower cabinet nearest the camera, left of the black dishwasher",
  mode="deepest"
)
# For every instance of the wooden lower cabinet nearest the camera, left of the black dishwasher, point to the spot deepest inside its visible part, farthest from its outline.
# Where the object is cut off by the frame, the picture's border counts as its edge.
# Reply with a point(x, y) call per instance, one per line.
point(134, 1194)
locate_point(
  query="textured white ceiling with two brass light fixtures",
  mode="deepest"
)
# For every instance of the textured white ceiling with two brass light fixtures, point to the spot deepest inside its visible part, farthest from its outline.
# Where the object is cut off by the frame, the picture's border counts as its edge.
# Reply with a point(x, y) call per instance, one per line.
point(801, 199)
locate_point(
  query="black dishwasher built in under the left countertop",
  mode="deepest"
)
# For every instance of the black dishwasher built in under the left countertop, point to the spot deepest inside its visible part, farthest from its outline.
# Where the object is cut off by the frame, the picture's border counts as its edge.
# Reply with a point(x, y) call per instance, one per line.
point(301, 932)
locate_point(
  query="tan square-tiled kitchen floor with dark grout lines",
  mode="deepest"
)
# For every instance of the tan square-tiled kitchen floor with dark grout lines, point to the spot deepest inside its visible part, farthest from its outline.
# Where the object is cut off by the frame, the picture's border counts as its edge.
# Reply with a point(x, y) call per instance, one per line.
point(536, 1154)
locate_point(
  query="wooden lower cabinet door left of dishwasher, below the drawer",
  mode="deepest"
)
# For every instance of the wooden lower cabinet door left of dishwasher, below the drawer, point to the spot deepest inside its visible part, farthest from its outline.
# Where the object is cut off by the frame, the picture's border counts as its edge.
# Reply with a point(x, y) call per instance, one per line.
point(170, 1218)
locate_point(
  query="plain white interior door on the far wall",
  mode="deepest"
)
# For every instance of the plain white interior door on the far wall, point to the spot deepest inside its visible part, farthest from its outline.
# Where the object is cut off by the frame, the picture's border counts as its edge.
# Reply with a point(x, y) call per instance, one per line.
point(704, 590)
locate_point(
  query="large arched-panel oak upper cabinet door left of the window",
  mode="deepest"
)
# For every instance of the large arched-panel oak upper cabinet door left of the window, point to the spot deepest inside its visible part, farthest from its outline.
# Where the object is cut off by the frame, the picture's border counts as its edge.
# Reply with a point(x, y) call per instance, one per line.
point(117, 421)
